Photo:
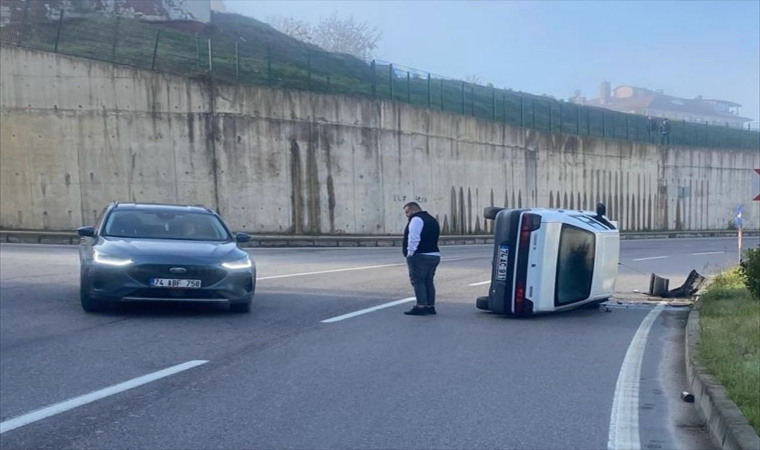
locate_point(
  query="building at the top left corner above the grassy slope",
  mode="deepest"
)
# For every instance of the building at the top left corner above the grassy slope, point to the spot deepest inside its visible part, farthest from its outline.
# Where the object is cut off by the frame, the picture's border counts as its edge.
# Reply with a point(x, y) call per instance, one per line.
point(185, 14)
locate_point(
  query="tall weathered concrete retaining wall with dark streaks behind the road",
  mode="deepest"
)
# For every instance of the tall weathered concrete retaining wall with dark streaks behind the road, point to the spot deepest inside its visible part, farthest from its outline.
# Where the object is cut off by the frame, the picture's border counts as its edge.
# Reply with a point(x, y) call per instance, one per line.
point(76, 134)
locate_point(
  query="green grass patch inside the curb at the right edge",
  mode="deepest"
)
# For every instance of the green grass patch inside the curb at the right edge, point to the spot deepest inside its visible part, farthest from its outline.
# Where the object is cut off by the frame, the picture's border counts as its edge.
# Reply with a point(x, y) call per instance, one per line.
point(729, 345)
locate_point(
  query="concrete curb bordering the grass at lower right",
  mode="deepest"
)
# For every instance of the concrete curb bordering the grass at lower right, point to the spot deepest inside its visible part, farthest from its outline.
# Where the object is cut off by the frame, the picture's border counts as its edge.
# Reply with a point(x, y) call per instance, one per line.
point(728, 427)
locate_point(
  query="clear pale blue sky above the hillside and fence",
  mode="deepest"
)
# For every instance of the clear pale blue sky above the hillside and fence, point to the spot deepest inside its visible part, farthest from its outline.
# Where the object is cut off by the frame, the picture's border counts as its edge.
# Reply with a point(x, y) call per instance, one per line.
point(685, 48)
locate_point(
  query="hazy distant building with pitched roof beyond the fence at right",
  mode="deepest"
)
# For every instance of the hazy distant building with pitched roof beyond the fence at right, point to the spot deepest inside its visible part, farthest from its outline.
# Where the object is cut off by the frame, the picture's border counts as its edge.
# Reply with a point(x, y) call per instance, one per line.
point(636, 100)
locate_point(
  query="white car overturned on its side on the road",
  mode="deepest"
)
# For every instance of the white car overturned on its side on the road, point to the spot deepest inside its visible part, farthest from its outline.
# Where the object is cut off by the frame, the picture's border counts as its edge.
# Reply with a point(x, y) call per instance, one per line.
point(547, 260)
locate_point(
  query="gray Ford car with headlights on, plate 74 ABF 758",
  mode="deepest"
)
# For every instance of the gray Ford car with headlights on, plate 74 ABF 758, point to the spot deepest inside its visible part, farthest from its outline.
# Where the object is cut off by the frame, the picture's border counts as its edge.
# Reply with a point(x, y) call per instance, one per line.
point(161, 252)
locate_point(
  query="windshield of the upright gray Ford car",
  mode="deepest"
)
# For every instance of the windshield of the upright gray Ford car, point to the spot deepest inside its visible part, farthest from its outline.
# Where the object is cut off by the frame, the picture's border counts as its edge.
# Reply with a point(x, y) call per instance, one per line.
point(165, 225)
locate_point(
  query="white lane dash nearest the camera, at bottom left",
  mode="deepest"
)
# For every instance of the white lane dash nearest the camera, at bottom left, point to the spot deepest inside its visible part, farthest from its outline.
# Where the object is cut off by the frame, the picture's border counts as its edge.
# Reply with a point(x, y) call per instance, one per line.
point(58, 408)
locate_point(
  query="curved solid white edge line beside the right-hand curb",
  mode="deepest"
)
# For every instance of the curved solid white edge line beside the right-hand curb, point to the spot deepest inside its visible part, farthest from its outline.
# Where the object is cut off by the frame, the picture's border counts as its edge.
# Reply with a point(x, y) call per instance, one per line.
point(624, 419)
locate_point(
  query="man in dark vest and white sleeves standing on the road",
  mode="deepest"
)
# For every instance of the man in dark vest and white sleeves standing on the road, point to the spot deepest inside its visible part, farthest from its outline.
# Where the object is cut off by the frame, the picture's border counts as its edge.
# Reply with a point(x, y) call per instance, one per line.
point(422, 257)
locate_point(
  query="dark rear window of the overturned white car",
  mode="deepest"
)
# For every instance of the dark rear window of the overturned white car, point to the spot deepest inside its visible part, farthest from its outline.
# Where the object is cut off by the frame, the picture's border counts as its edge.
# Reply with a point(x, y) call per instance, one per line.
point(575, 265)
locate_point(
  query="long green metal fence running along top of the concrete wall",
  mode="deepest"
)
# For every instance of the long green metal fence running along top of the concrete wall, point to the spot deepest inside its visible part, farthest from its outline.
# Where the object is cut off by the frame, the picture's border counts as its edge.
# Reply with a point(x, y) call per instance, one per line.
point(148, 46)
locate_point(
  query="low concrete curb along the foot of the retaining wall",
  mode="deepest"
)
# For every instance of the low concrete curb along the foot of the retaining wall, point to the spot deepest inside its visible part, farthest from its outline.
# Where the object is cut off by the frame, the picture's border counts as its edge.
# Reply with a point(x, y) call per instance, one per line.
point(71, 238)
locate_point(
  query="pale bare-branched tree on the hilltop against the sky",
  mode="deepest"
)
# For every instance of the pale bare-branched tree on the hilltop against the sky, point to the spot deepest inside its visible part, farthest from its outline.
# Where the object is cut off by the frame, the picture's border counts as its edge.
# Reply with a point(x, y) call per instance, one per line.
point(333, 34)
